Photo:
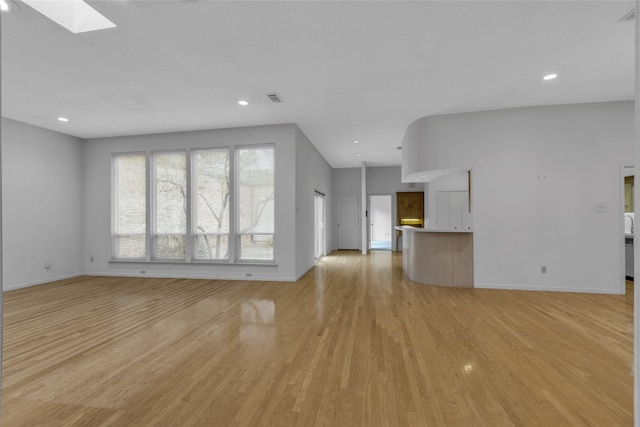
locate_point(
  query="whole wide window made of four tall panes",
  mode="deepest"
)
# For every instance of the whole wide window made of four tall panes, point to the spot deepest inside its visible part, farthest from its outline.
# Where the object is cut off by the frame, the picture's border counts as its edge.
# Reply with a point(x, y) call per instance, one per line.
point(204, 205)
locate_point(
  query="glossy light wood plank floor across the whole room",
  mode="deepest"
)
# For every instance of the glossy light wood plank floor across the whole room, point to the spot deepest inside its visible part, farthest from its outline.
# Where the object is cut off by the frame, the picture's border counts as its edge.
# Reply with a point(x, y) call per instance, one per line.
point(353, 343)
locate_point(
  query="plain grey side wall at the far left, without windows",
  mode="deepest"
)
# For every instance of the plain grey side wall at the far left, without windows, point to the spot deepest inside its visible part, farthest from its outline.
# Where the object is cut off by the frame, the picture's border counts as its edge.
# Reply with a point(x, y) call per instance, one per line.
point(41, 205)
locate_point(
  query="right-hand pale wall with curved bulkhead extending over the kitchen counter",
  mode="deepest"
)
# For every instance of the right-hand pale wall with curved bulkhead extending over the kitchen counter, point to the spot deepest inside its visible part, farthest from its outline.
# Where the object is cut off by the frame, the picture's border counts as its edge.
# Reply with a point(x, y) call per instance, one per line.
point(538, 174)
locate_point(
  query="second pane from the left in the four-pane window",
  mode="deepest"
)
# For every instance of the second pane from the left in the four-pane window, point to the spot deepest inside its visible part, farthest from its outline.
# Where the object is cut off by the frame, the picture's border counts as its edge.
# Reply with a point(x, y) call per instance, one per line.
point(170, 205)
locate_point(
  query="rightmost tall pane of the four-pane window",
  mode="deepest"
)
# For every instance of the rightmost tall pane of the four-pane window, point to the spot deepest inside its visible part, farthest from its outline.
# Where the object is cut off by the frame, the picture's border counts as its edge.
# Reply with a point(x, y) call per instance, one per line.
point(256, 202)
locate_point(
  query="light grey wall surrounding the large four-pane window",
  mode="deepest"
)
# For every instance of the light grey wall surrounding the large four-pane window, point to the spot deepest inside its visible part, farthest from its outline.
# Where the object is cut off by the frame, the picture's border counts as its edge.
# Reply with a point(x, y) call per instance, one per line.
point(97, 202)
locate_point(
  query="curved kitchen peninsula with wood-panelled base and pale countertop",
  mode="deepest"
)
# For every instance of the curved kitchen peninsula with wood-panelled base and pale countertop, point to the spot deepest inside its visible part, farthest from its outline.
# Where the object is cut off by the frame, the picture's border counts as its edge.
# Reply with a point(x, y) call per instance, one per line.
point(438, 257)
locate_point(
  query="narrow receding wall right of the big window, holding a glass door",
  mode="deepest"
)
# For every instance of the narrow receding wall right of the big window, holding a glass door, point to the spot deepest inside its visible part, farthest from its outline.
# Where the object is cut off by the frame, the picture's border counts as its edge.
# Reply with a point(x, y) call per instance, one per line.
point(313, 173)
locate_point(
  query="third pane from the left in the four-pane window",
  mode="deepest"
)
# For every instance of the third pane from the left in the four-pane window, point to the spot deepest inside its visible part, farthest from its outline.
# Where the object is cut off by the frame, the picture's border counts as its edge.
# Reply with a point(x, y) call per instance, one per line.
point(212, 198)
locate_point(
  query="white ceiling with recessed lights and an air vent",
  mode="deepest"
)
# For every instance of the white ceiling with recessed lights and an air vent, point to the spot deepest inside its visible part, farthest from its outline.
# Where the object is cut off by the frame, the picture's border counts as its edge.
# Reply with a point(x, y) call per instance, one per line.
point(345, 70)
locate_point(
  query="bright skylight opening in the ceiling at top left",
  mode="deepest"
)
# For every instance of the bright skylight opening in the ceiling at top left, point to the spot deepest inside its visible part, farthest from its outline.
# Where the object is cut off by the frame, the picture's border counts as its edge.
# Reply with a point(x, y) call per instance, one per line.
point(74, 15)
